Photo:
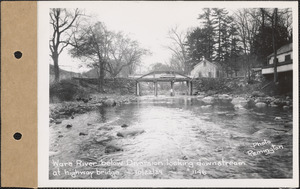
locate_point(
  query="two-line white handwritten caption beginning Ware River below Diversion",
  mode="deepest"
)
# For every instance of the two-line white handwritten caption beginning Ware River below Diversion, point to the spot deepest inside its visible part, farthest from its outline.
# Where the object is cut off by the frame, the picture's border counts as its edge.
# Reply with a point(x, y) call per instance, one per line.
point(80, 168)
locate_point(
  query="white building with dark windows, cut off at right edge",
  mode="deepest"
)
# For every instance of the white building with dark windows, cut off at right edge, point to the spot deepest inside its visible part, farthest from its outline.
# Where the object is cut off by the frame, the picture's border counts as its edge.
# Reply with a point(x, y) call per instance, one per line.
point(285, 60)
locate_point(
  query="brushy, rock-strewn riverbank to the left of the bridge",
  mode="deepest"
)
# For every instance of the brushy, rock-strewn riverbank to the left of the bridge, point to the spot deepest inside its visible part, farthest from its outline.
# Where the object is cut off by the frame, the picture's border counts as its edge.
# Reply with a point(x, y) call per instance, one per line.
point(71, 97)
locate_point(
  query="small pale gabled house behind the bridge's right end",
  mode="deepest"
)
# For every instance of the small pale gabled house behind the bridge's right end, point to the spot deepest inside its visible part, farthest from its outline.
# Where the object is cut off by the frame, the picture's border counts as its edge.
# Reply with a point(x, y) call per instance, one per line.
point(206, 68)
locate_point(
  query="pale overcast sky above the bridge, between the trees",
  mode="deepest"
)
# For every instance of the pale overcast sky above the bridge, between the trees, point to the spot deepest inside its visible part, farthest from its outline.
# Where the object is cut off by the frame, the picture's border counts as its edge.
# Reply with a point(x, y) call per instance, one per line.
point(148, 23)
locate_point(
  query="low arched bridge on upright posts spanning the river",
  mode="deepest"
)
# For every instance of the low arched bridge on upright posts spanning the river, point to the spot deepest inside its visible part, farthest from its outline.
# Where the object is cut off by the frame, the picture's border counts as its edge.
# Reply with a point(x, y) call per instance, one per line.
point(164, 76)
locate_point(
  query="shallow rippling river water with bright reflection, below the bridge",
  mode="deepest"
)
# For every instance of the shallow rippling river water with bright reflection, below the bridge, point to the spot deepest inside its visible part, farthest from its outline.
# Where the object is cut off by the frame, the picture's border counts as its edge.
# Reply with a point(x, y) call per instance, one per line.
point(183, 138)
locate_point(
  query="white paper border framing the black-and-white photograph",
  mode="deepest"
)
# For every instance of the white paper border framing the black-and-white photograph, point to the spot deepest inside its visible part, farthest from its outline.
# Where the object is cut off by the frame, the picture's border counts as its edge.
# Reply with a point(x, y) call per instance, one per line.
point(43, 105)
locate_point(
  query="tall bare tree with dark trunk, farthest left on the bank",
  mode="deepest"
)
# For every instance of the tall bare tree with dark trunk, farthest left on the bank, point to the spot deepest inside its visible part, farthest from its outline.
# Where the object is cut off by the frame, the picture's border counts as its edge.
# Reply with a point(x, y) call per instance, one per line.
point(61, 21)
